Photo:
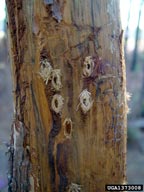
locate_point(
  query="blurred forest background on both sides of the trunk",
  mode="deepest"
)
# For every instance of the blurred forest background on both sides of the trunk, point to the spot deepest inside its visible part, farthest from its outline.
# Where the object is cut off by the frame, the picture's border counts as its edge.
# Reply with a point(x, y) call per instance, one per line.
point(132, 14)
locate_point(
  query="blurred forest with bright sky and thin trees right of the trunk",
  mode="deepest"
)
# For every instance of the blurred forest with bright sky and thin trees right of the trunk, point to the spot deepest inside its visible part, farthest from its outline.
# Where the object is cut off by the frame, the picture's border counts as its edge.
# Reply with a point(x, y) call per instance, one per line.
point(132, 15)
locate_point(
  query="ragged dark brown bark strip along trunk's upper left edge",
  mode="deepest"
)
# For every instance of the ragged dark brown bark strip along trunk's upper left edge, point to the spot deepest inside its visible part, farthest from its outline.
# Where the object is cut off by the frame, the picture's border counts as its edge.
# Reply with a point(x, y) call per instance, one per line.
point(17, 29)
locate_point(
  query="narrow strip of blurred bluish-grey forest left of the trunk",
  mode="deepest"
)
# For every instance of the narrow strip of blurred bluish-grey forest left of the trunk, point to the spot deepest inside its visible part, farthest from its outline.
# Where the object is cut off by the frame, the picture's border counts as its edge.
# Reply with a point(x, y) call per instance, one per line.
point(6, 100)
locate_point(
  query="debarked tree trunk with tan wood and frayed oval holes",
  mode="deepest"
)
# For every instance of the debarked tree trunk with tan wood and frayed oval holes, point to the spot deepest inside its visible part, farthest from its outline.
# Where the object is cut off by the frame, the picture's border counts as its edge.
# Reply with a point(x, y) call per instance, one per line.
point(69, 131)
